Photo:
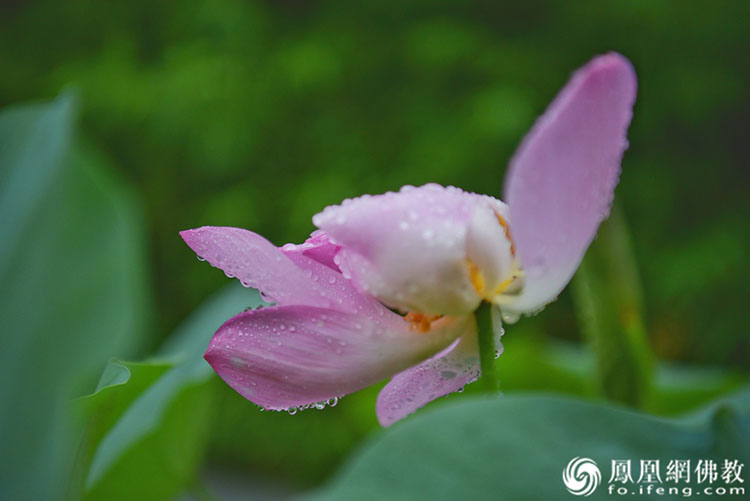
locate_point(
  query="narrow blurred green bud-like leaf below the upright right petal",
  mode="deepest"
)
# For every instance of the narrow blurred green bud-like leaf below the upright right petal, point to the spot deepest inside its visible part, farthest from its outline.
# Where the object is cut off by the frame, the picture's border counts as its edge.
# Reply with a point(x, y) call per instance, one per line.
point(609, 302)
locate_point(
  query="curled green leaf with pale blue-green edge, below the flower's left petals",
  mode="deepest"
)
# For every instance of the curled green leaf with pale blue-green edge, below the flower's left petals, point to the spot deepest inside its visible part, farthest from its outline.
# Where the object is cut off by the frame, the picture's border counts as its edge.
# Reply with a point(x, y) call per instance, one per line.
point(148, 421)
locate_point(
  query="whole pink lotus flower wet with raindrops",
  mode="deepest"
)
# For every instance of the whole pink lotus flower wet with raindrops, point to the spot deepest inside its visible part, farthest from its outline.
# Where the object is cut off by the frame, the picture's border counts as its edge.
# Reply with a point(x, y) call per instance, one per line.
point(432, 253)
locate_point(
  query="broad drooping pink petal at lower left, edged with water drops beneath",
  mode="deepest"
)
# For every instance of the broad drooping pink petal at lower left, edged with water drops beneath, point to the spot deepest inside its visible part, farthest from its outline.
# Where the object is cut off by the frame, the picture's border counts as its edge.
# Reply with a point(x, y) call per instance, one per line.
point(289, 356)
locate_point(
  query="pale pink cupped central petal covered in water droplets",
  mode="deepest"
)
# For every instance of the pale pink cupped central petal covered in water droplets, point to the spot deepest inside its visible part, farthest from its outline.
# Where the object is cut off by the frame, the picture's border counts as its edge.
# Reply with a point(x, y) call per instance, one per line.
point(408, 248)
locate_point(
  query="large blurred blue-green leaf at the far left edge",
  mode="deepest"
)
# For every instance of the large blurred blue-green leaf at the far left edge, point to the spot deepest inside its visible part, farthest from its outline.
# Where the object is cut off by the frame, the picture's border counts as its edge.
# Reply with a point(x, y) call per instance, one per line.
point(73, 289)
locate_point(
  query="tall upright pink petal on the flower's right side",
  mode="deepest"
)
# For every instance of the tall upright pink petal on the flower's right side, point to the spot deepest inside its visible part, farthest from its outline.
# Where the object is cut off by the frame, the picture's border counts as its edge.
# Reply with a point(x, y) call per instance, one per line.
point(561, 182)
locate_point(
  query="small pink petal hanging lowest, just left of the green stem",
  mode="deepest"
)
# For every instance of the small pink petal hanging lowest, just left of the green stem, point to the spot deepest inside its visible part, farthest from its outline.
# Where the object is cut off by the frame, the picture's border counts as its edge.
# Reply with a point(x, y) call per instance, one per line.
point(446, 372)
